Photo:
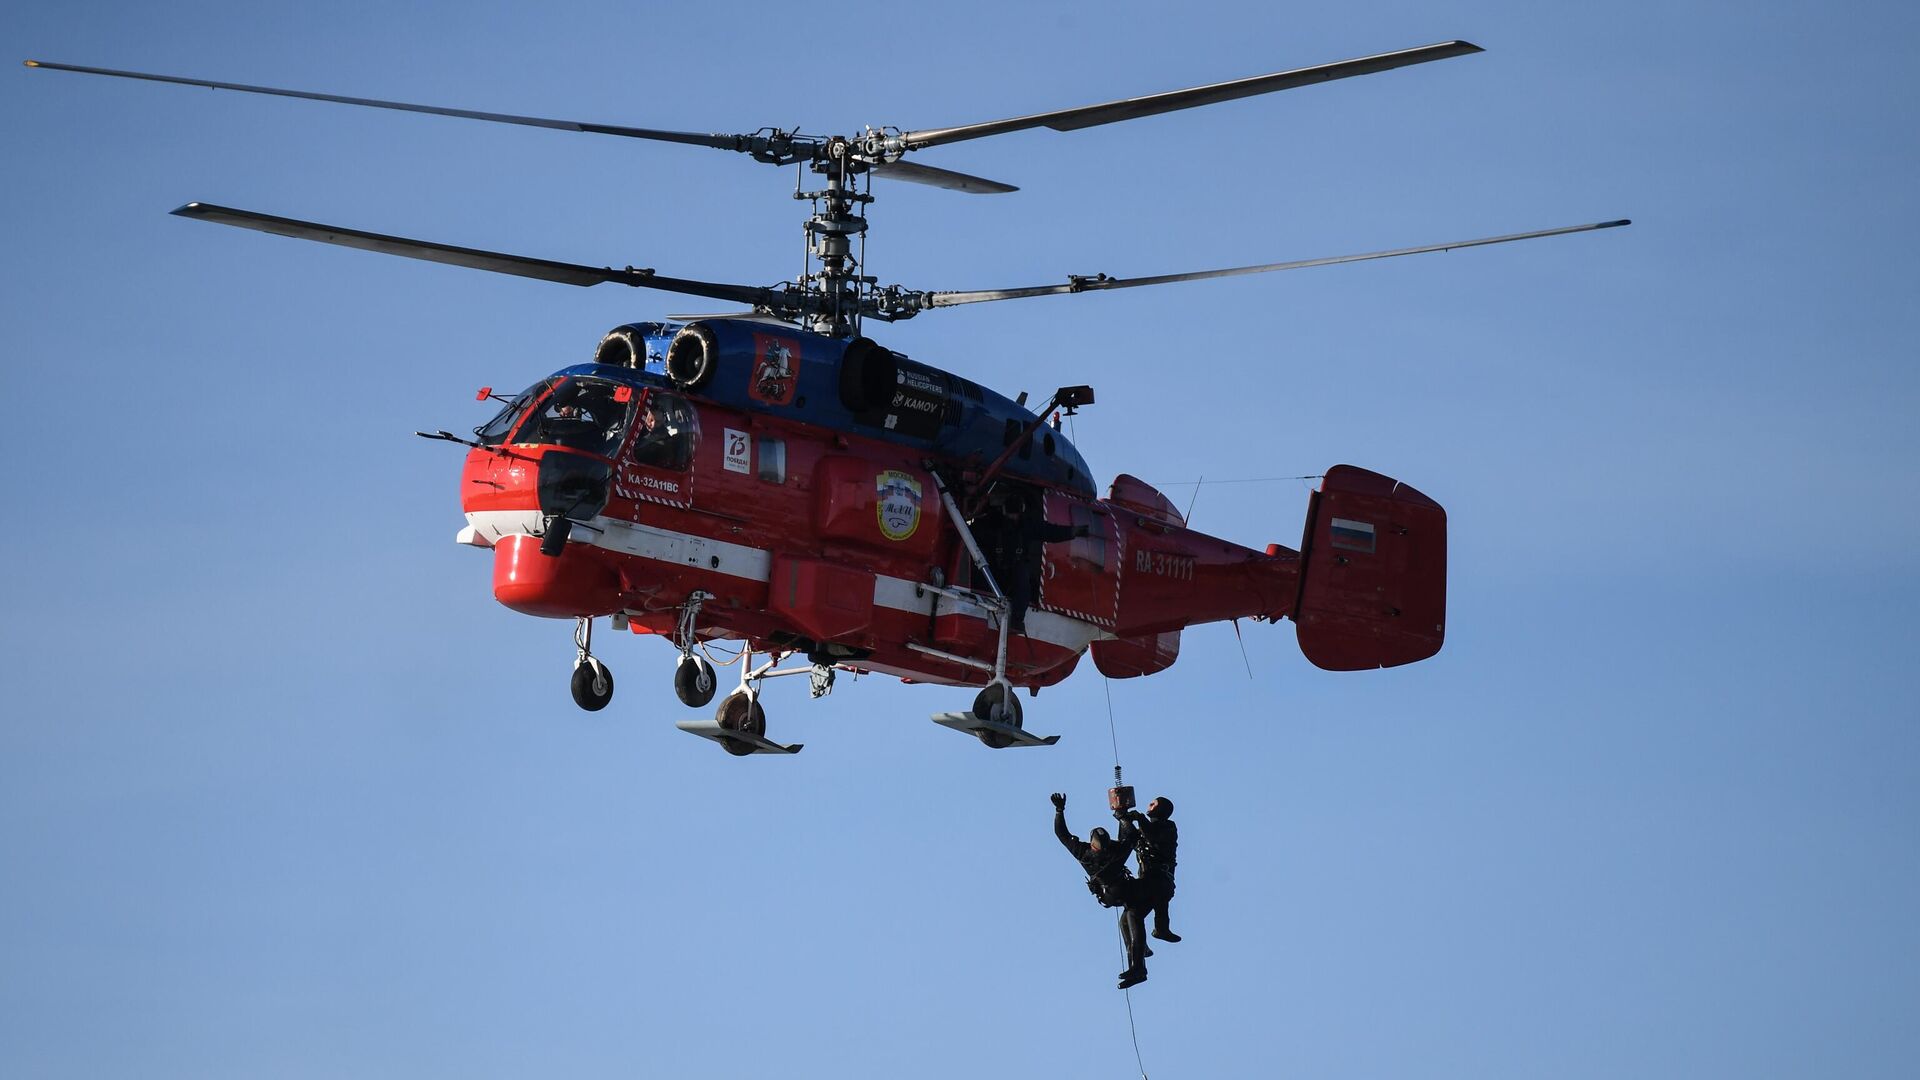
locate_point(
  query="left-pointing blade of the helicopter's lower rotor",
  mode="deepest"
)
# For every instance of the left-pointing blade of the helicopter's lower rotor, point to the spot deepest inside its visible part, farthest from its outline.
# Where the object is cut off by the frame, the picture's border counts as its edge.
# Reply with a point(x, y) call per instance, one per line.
point(544, 270)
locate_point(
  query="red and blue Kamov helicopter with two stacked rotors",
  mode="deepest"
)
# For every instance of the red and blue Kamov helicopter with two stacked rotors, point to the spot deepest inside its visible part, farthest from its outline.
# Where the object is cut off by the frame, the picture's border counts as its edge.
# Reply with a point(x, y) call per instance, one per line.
point(775, 483)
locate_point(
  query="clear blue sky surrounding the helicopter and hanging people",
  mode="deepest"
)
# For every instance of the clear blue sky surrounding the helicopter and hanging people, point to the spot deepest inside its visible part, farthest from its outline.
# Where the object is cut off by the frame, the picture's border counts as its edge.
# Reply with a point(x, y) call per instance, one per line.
point(283, 793)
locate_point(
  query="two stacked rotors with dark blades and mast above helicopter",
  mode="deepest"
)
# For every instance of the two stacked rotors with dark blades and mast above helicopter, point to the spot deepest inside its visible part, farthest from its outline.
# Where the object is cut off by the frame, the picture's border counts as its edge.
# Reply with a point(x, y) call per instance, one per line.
point(834, 295)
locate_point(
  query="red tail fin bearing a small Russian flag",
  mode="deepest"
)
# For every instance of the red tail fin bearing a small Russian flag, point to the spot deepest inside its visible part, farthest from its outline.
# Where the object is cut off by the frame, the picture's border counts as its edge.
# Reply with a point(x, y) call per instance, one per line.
point(1374, 574)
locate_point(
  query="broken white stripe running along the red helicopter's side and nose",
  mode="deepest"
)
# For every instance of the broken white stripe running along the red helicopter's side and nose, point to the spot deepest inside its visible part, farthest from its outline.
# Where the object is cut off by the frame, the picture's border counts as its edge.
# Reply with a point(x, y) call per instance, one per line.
point(756, 564)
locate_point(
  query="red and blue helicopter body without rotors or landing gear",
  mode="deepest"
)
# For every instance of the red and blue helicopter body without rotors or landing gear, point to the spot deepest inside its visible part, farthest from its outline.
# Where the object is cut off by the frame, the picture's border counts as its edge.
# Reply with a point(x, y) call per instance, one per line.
point(805, 495)
